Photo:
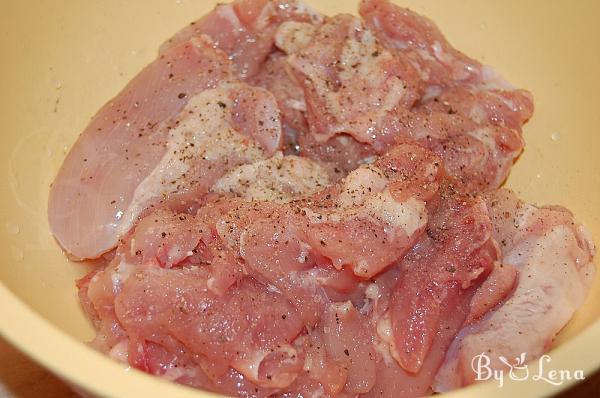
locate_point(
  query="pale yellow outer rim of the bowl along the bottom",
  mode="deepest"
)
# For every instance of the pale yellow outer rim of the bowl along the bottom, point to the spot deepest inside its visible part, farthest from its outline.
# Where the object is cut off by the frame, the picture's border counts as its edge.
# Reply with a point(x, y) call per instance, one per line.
point(83, 367)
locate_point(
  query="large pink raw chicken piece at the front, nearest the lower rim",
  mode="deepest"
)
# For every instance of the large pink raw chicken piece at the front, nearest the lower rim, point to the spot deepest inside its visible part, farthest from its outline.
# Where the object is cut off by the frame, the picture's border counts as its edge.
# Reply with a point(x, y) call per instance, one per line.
point(265, 246)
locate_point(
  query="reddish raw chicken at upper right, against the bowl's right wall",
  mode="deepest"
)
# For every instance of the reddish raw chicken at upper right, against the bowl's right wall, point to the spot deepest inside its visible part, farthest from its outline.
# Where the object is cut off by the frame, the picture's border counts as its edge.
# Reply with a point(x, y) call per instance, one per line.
point(480, 143)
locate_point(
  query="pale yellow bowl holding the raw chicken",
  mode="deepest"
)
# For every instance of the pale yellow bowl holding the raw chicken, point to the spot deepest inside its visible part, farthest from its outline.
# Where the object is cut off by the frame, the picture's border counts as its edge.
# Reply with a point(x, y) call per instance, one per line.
point(61, 60)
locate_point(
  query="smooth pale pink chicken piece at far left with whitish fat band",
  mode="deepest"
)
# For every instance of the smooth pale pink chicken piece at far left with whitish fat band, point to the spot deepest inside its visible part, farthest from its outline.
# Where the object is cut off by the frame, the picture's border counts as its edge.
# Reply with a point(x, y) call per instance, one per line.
point(217, 130)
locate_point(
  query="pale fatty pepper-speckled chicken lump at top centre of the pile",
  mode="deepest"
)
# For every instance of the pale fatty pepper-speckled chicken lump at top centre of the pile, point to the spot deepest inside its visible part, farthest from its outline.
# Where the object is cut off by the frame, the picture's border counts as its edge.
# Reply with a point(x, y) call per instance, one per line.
point(351, 83)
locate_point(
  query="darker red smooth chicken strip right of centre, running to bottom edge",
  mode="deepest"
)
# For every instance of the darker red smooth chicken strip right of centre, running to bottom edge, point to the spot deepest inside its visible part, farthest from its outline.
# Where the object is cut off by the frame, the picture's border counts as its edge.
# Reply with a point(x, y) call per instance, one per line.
point(420, 305)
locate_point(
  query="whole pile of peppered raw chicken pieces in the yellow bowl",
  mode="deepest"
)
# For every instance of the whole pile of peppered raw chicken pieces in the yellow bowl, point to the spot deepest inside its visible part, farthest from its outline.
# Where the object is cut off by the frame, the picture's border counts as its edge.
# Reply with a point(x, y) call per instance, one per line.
point(296, 205)
